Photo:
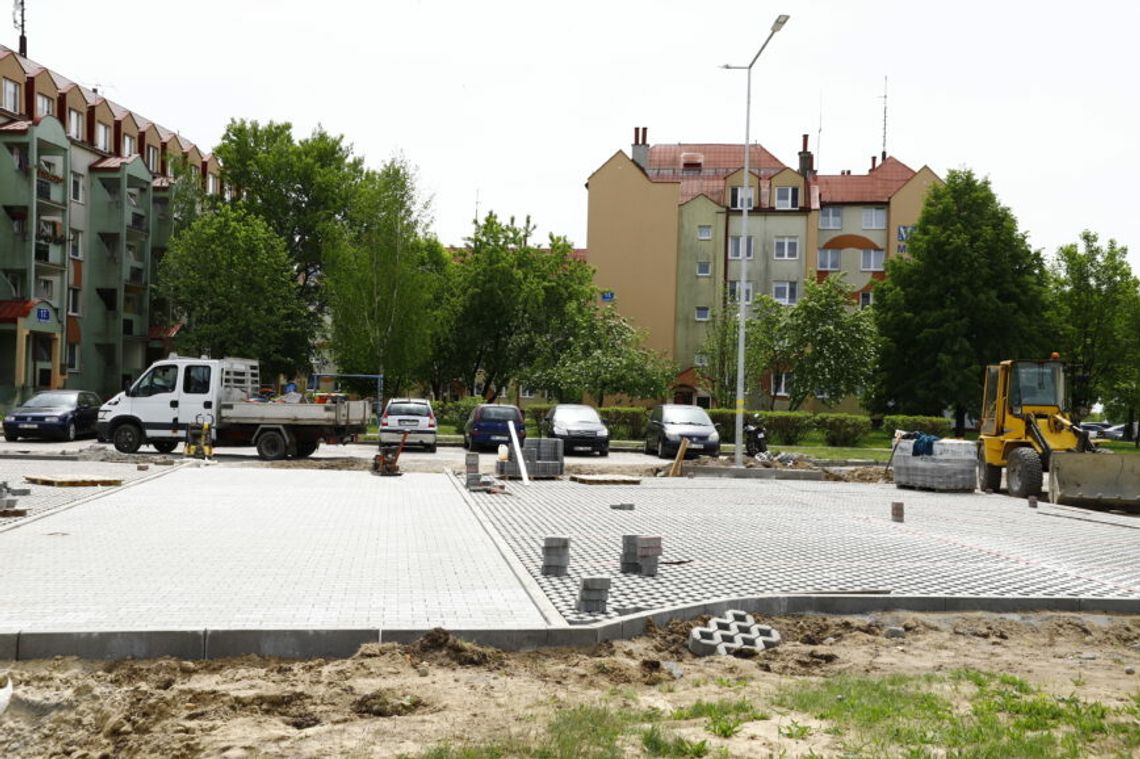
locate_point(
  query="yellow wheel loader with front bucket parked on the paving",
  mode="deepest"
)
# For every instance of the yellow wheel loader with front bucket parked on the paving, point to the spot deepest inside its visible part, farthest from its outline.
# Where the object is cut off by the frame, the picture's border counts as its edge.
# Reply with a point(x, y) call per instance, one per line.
point(1027, 429)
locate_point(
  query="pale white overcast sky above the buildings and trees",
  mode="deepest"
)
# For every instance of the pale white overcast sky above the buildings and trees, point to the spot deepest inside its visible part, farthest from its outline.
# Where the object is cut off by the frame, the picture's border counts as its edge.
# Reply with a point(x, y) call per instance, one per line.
point(516, 104)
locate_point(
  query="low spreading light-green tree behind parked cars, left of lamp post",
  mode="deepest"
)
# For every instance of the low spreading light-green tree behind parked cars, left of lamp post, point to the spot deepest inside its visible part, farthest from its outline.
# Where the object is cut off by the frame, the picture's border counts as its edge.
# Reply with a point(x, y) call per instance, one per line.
point(606, 355)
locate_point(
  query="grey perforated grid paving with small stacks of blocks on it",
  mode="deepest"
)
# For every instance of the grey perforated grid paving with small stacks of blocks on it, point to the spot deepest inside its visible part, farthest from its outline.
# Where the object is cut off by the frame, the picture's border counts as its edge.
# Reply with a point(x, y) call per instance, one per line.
point(734, 538)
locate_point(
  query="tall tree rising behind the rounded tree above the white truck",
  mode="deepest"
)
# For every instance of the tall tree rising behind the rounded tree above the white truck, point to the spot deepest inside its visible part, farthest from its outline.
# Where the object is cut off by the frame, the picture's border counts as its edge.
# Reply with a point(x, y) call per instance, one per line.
point(303, 190)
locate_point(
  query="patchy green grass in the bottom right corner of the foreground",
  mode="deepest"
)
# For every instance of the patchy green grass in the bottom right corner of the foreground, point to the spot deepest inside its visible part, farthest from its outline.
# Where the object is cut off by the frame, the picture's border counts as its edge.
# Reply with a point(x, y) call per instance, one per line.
point(968, 714)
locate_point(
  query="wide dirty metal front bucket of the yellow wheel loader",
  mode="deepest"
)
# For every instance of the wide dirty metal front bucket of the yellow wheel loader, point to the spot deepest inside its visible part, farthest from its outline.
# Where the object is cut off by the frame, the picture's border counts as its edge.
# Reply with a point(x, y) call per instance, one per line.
point(1098, 480)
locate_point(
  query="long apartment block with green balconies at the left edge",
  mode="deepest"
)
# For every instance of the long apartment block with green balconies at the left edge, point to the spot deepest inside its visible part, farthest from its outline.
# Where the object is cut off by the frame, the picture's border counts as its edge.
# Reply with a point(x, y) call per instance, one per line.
point(86, 218)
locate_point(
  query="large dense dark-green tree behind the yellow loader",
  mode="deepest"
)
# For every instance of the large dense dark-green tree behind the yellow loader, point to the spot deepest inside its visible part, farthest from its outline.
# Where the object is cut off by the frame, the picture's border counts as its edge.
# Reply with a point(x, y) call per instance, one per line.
point(972, 292)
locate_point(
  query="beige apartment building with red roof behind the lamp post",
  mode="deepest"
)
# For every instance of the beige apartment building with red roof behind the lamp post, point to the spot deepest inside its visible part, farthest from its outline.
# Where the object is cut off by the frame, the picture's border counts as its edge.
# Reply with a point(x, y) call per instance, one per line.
point(665, 236)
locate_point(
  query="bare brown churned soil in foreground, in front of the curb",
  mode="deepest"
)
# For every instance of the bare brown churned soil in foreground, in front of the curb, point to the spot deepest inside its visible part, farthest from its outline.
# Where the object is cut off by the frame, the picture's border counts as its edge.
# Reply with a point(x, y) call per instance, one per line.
point(394, 700)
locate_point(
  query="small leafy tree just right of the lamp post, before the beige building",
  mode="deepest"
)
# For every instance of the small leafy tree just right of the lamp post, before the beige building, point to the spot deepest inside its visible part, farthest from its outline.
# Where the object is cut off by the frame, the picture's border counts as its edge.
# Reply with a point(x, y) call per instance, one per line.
point(833, 345)
